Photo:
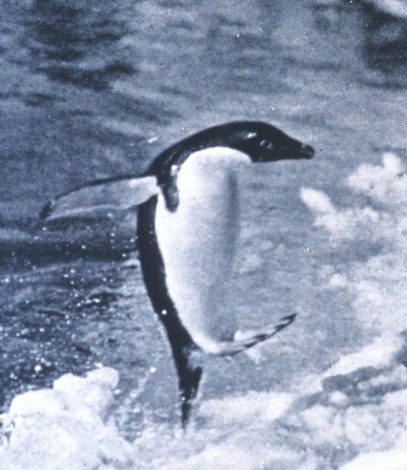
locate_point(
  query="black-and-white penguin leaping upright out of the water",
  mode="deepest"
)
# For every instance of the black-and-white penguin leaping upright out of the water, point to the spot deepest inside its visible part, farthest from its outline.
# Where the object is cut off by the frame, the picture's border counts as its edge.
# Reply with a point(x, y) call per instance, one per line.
point(187, 235)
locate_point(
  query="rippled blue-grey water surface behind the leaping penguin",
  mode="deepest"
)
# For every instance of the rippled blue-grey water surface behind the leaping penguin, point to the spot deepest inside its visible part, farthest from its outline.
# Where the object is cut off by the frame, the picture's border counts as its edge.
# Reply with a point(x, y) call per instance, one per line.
point(95, 89)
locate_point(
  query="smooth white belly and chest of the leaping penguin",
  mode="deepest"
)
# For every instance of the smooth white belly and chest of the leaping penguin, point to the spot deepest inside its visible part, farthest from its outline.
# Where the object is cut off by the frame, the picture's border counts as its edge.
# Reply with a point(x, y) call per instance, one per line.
point(198, 244)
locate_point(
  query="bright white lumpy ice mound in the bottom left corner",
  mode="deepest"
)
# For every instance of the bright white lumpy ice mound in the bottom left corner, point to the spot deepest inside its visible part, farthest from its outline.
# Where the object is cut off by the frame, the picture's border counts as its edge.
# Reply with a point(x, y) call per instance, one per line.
point(64, 427)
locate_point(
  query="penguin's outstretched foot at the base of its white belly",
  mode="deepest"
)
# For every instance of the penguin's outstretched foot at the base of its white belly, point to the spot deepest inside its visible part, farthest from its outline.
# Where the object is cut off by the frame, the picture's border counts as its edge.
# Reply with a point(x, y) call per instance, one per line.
point(231, 348)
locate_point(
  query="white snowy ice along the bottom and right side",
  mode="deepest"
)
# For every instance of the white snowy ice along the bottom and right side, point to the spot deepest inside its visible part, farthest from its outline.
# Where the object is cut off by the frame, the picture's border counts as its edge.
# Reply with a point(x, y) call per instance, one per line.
point(349, 416)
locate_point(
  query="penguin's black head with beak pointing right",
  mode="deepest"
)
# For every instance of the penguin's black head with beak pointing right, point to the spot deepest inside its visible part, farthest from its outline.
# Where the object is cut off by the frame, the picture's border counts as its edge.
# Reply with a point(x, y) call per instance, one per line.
point(265, 143)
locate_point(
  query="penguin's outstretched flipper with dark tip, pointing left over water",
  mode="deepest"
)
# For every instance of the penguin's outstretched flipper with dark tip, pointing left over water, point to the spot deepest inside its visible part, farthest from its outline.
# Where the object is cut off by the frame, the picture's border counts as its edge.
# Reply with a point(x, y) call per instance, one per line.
point(104, 195)
